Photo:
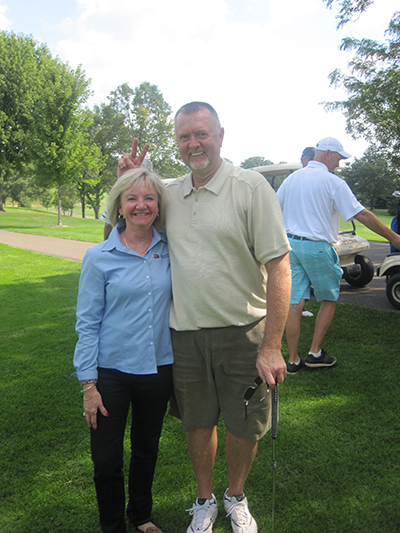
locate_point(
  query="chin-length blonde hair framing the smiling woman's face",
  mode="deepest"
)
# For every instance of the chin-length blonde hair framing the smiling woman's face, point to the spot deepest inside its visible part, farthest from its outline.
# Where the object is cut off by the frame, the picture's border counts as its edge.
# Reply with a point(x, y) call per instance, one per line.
point(137, 176)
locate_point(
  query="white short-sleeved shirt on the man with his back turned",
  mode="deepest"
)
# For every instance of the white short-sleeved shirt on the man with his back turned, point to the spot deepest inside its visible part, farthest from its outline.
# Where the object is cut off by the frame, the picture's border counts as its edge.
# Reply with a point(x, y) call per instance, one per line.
point(312, 200)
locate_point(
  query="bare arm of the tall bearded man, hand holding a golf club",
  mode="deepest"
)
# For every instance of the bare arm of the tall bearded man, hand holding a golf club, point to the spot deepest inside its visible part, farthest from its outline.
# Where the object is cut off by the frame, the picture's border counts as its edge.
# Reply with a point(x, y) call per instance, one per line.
point(270, 363)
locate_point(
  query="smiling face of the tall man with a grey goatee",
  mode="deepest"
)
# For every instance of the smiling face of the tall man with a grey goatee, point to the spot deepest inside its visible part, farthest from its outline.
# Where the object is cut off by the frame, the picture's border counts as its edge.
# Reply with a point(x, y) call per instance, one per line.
point(199, 140)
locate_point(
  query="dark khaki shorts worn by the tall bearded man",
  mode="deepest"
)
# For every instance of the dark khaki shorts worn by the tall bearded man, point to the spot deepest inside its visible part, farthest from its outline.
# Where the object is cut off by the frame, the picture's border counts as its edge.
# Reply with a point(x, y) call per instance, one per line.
point(212, 369)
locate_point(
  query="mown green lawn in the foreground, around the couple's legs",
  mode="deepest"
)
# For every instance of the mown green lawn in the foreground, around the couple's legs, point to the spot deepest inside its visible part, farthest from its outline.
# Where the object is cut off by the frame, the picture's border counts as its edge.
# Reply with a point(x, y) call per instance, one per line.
point(338, 453)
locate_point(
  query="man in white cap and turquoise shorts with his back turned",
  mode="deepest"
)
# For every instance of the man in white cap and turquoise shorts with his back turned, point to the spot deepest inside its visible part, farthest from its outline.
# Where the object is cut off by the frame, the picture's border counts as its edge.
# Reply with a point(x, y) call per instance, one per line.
point(312, 200)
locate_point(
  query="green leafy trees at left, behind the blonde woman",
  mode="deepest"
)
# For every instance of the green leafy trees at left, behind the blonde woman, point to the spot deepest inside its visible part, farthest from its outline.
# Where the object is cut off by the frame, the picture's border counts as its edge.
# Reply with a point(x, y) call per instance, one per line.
point(53, 147)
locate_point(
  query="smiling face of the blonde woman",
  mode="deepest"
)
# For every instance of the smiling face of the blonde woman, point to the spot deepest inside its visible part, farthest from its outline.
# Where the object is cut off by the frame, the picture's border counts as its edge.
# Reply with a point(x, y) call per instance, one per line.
point(139, 205)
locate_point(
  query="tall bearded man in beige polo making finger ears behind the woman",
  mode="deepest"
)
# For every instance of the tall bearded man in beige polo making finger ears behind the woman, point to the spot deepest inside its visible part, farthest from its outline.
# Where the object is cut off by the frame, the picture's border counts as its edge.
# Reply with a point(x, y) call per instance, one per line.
point(227, 245)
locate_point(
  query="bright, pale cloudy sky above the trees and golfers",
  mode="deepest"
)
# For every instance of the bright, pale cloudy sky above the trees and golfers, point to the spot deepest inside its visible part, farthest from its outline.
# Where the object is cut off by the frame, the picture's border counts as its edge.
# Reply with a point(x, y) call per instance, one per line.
point(262, 64)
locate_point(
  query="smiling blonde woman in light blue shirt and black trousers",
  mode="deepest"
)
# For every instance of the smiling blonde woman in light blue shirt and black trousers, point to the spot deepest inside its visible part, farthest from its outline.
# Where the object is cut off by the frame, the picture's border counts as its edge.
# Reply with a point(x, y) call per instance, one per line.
point(123, 356)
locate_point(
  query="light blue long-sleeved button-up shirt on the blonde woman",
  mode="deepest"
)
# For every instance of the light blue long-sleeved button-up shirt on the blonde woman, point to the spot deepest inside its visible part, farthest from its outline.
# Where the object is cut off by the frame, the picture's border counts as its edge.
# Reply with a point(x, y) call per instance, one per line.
point(123, 308)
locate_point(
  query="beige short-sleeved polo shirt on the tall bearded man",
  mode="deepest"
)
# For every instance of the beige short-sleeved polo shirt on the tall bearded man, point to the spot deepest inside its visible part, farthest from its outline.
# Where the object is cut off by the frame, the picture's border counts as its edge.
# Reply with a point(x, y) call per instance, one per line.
point(220, 237)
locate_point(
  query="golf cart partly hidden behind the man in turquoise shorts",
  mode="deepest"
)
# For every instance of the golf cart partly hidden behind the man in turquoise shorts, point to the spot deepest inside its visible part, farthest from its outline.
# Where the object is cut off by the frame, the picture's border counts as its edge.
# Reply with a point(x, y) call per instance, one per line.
point(358, 270)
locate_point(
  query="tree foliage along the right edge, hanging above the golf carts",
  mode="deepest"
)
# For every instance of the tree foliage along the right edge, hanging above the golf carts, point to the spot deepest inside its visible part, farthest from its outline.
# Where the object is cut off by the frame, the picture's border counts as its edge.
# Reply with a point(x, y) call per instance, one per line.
point(372, 109)
